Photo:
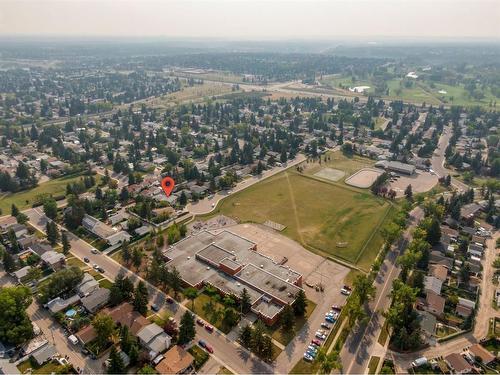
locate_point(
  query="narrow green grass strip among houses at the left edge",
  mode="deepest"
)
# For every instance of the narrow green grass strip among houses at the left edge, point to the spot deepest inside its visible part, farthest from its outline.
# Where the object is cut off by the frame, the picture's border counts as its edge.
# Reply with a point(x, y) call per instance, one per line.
point(25, 199)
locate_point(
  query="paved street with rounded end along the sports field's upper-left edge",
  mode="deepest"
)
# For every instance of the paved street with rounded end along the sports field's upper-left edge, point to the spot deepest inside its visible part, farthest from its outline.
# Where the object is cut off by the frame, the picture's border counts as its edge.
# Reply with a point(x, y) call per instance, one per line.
point(207, 205)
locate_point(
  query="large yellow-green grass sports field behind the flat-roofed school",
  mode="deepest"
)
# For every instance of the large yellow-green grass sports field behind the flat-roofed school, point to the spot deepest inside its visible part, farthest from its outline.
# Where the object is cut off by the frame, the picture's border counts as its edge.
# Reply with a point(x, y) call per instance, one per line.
point(324, 217)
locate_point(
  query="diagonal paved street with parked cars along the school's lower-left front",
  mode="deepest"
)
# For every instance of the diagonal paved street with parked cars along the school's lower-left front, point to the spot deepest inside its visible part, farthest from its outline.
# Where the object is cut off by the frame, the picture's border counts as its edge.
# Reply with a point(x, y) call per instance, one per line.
point(229, 353)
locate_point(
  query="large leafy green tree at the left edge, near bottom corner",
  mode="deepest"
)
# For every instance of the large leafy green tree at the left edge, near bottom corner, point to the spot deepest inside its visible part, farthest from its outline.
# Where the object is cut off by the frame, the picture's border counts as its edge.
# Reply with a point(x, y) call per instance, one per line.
point(15, 325)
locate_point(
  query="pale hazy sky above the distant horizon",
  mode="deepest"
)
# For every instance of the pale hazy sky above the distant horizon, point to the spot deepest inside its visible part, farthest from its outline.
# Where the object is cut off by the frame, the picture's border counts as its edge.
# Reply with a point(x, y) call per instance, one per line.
point(236, 19)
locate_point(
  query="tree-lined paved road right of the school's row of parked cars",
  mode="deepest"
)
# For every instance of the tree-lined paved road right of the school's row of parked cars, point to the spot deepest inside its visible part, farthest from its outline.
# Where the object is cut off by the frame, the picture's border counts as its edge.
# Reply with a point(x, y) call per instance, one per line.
point(362, 341)
